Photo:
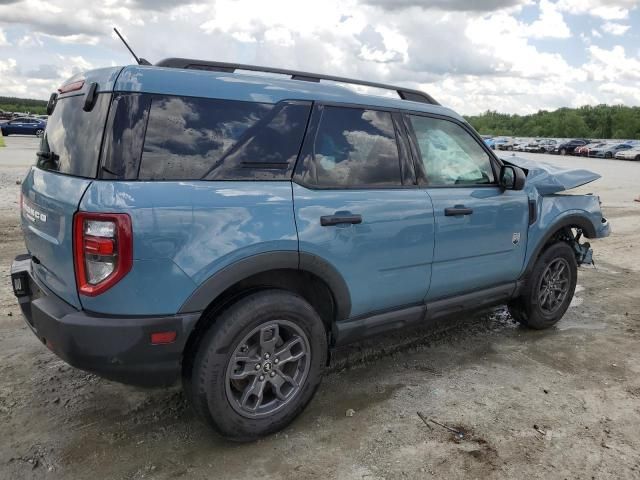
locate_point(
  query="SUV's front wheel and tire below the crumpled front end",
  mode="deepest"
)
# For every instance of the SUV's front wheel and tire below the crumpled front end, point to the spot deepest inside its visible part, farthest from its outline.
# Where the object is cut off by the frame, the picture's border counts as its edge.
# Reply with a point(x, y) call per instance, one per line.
point(528, 309)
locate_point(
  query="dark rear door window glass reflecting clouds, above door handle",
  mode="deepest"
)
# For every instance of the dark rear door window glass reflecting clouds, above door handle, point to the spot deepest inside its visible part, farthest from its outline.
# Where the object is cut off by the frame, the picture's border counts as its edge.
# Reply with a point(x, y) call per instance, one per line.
point(353, 147)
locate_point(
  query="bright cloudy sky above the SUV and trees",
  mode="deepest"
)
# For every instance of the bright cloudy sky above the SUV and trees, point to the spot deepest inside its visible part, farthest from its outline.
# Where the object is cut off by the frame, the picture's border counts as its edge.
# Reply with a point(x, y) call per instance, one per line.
point(512, 56)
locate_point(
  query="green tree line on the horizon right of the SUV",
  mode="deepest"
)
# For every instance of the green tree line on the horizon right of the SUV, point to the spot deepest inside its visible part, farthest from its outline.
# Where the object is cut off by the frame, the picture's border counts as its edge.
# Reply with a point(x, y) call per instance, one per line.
point(601, 121)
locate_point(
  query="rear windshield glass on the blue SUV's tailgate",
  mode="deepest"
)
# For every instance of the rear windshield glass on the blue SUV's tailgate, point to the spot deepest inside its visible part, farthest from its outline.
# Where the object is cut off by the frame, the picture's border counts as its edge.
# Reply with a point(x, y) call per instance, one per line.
point(71, 142)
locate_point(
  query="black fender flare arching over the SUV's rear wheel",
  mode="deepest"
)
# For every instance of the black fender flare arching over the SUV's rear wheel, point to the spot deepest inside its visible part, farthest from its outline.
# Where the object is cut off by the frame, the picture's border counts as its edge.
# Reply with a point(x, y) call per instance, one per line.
point(215, 285)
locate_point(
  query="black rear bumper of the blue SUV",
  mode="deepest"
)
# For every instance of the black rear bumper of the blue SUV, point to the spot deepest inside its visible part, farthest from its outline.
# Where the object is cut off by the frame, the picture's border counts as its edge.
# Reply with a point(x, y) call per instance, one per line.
point(118, 348)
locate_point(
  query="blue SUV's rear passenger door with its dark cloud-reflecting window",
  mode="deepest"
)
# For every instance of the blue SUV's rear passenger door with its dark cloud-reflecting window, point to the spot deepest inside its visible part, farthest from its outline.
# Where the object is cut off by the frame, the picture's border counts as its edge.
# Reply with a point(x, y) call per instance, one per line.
point(357, 207)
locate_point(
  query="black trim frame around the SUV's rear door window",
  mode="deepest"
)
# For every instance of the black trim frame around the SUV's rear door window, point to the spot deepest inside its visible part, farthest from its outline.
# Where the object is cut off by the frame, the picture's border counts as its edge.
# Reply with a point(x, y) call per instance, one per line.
point(306, 152)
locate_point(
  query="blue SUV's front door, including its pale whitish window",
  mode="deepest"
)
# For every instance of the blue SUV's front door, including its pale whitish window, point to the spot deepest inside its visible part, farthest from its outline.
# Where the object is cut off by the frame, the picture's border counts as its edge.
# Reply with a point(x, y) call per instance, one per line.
point(481, 230)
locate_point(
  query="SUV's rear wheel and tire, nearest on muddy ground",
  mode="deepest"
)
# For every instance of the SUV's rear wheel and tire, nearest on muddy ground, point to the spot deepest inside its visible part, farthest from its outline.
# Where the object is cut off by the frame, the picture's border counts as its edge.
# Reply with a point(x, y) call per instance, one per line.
point(231, 406)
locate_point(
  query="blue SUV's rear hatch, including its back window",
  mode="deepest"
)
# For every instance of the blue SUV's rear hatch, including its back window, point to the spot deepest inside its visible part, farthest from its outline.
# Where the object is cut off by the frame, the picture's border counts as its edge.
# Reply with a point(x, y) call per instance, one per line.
point(66, 164)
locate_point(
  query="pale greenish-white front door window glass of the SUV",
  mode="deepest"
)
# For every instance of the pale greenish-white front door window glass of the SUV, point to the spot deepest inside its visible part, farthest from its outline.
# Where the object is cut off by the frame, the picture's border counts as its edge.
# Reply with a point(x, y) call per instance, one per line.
point(449, 154)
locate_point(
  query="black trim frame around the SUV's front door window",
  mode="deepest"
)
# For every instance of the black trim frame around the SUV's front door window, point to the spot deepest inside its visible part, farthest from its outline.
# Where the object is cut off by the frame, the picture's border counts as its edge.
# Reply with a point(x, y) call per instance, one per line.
point(422, 176)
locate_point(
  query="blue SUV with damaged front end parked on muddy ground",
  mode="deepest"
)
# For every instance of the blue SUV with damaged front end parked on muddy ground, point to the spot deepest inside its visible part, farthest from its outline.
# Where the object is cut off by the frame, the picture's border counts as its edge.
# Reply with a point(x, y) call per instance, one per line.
point(196, 220)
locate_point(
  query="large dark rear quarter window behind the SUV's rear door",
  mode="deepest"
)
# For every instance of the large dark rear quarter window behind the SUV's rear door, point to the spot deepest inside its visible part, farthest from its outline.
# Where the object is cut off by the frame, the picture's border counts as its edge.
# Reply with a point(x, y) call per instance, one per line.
point(194, 138)
